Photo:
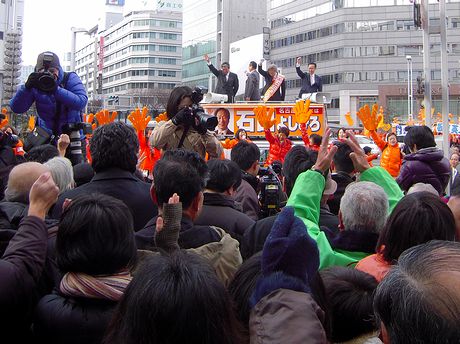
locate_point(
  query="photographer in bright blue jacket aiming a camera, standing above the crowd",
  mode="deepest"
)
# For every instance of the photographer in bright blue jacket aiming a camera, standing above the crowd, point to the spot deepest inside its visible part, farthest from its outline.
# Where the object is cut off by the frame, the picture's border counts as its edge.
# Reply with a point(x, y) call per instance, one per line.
point(60, 99)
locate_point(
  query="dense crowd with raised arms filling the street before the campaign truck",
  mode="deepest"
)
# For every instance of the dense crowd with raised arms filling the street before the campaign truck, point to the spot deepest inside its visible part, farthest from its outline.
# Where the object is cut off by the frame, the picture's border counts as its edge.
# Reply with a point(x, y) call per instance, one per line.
point(156, 237)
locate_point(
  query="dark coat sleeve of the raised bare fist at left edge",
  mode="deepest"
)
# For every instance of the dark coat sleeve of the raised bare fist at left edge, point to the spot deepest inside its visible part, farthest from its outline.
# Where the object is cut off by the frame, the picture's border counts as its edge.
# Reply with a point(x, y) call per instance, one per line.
point(20, 270)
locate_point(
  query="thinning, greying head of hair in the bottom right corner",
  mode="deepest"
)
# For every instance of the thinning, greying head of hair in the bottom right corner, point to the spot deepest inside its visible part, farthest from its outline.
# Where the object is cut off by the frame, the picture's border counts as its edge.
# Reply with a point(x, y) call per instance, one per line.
point(419, 299)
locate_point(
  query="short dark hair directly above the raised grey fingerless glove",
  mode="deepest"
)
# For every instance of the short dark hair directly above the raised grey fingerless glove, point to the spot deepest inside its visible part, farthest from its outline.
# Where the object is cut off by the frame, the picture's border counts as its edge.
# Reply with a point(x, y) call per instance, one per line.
point(176, 174)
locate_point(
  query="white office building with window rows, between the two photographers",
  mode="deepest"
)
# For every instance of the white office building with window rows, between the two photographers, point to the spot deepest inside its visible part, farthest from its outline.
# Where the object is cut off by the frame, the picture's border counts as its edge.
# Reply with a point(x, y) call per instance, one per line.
point(134, 62)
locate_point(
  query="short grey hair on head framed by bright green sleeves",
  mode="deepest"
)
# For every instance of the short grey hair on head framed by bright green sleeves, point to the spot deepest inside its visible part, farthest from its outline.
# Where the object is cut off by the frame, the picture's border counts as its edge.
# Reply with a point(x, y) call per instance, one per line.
point(364, 206)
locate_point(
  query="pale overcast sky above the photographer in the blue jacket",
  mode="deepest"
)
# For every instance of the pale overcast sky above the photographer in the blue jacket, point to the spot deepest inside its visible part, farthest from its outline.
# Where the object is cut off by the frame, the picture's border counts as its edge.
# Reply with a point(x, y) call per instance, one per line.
point(47, 24)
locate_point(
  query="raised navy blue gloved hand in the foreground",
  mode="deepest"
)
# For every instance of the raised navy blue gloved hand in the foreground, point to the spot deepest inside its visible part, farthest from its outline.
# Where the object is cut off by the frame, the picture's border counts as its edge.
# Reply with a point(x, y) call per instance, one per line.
point(290, 258)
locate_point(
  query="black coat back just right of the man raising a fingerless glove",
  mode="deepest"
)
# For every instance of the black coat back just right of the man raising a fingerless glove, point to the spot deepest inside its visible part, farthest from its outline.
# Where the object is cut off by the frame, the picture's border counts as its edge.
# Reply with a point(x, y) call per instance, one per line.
point(221, 211)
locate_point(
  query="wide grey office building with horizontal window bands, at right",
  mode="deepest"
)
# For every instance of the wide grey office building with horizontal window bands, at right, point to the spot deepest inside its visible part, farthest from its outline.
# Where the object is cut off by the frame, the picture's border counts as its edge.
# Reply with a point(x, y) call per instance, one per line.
point(360, 47)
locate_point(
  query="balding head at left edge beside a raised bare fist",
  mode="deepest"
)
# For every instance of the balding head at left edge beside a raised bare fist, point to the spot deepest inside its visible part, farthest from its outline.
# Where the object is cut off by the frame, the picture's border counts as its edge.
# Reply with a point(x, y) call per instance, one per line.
point(21, 179)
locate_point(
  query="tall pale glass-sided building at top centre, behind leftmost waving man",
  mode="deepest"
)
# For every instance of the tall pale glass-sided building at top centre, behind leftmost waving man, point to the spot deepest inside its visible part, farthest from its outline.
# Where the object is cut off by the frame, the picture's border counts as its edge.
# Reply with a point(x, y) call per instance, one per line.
point(209, 28)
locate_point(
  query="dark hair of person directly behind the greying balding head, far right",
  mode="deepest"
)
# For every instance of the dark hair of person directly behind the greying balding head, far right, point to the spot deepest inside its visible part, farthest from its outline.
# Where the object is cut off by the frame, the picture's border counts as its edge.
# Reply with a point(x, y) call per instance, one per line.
point(417, 218)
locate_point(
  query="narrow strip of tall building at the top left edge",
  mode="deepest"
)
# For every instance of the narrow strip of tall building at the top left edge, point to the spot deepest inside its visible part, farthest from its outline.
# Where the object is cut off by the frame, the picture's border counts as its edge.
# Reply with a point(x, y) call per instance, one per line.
point(11, 21)
